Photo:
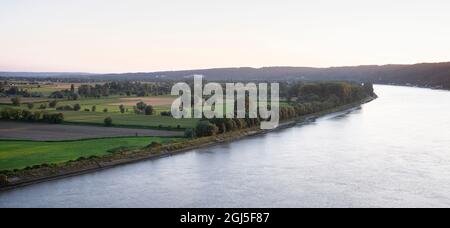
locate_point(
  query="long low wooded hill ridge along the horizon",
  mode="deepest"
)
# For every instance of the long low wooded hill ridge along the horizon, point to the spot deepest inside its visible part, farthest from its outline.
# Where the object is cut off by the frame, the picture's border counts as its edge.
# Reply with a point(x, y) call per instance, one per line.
point(436, 75)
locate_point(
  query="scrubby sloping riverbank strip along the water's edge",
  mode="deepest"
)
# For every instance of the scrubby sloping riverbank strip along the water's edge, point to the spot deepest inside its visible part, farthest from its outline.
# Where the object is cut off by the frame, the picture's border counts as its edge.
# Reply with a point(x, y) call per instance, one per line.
point(43, 174)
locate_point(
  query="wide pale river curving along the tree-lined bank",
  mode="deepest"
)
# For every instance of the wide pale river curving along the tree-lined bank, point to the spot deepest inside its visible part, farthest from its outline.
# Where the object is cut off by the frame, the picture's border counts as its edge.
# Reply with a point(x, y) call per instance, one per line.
point(392, 152)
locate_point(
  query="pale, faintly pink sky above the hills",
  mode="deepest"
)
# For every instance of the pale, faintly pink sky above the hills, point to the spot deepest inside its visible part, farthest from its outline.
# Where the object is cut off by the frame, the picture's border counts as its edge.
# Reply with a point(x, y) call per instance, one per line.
point(152, 35)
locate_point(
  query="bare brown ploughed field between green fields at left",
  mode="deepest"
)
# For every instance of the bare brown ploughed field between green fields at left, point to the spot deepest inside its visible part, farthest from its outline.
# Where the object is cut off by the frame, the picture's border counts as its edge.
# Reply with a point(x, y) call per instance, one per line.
point(47, 132)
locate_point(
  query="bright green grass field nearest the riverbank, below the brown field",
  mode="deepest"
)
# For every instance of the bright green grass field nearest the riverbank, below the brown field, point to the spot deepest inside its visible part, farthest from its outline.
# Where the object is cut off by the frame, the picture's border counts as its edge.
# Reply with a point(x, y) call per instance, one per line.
point(21, 154)
